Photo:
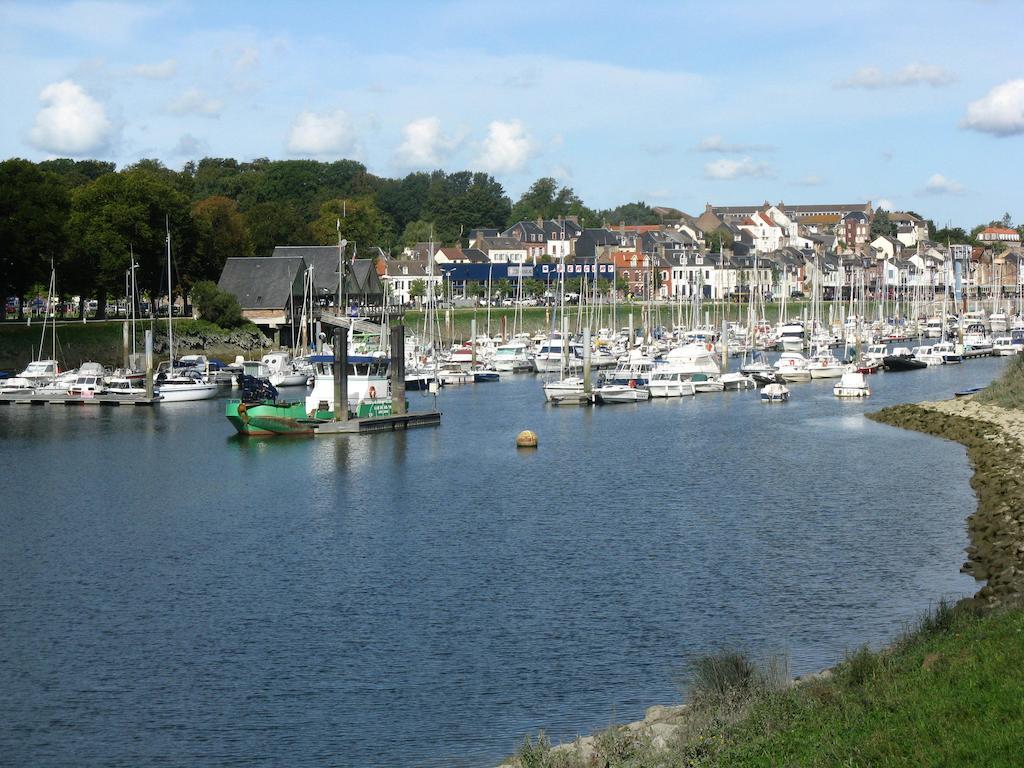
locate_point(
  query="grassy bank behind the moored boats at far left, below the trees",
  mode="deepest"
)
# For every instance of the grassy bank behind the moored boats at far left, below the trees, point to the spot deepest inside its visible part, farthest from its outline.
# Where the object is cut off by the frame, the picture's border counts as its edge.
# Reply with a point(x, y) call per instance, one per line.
point(102, 342)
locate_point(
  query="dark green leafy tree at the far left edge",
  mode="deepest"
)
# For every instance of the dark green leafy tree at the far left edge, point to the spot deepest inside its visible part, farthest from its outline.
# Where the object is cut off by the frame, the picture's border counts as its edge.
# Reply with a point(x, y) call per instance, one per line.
point(34, 206)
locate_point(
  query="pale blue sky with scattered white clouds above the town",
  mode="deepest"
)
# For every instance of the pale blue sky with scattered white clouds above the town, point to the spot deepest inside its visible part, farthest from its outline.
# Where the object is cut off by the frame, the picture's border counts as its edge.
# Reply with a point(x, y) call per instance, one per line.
point(913, 106)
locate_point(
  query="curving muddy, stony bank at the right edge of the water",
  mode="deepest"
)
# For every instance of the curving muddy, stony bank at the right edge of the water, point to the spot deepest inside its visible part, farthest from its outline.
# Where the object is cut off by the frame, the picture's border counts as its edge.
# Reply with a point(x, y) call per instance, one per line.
point(994, 438)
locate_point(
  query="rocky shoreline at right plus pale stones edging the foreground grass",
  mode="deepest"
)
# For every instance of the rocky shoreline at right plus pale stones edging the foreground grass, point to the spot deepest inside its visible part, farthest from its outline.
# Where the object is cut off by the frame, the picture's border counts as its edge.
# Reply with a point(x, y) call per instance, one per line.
point(994, 438)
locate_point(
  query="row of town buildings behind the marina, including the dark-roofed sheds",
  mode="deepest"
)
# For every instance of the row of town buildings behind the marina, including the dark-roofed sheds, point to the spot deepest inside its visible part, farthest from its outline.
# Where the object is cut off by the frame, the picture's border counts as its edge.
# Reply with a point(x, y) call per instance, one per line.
point(726, 252)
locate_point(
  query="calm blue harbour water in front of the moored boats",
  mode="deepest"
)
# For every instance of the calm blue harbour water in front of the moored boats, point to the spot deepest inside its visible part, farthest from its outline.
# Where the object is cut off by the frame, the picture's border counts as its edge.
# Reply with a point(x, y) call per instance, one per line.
point(173, 594)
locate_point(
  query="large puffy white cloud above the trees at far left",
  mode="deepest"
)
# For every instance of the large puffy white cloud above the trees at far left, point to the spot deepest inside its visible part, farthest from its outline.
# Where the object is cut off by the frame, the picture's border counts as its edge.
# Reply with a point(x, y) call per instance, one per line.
point(71, 121)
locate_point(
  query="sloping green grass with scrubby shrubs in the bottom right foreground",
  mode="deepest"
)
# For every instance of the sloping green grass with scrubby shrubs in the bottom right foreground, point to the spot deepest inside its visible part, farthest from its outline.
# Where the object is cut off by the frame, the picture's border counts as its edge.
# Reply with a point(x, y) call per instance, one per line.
point(950, 693)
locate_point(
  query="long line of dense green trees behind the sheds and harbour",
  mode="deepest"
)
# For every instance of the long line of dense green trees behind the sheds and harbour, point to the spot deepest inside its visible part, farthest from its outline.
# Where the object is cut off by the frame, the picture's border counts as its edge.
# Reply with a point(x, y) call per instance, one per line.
point(93, 221)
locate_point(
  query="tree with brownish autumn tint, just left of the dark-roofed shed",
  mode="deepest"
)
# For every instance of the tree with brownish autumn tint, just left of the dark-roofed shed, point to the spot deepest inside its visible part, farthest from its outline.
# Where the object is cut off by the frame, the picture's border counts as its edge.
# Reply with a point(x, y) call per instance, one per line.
point(221, 233)
